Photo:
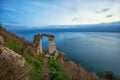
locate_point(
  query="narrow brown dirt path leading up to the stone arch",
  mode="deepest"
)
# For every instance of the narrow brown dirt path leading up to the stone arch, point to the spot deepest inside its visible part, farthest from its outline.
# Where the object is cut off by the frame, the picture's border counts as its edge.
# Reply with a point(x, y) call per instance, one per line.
point(45, 70)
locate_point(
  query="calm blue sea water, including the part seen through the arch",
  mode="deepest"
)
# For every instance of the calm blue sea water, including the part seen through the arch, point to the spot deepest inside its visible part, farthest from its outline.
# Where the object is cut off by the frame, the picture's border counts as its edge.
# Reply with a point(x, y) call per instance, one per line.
point(94, 51)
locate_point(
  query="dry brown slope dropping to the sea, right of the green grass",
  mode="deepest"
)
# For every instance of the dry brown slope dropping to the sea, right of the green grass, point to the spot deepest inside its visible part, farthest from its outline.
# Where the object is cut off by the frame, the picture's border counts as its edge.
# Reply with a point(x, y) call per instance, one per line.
point(75, 71)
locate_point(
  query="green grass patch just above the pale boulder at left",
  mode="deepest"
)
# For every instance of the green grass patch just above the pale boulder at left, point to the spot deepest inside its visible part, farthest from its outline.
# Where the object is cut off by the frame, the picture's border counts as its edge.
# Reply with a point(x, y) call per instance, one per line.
point(17, 47)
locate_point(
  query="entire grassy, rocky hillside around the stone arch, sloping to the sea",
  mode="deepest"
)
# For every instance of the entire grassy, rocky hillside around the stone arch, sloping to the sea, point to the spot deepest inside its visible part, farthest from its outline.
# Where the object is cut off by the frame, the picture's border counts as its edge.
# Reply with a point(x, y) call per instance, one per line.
point(20, 61)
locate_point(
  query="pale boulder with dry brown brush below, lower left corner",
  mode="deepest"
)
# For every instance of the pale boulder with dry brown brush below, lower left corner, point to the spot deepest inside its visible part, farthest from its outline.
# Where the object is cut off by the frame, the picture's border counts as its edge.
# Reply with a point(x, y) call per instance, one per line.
point(11, 65)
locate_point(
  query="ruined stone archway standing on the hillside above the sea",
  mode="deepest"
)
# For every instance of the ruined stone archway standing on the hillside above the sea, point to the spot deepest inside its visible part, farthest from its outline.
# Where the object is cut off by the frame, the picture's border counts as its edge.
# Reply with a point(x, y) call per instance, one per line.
point(52, 46)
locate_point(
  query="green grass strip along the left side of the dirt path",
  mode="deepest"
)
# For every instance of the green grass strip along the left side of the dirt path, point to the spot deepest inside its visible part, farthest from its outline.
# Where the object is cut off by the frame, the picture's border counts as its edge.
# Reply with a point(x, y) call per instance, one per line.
point(37, 64)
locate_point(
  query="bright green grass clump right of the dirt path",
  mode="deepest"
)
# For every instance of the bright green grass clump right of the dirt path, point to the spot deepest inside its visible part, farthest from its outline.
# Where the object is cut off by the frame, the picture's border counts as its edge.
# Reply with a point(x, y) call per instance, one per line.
point(57, 70)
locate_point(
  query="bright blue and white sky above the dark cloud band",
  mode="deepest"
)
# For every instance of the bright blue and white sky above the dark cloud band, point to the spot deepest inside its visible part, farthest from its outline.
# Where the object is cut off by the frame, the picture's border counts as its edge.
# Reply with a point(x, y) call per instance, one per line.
point(39, 13)
